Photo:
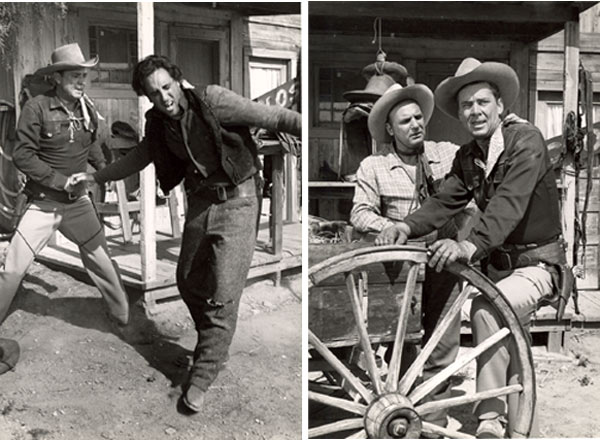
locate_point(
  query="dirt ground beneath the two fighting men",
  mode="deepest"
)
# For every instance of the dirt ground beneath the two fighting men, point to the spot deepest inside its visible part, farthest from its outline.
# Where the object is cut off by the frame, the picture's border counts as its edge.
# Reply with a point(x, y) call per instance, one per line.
point(77, 380)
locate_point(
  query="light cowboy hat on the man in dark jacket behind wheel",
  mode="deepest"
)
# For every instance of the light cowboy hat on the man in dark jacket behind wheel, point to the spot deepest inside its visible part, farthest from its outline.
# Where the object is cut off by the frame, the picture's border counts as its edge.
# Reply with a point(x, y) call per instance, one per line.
point(472, 71)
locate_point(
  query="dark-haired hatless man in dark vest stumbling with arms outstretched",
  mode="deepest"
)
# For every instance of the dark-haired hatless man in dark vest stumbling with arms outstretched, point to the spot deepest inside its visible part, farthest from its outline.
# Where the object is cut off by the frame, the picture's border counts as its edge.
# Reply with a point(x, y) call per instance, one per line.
point(202, 136)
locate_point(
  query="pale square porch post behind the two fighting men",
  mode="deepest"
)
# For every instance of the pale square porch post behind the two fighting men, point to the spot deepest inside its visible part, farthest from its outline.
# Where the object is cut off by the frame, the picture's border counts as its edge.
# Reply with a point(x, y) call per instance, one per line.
point(145, 23)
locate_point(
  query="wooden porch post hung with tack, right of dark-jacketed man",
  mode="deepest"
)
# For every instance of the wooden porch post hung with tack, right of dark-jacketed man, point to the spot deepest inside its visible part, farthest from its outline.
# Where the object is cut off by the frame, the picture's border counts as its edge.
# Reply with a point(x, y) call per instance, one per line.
point(571, 85)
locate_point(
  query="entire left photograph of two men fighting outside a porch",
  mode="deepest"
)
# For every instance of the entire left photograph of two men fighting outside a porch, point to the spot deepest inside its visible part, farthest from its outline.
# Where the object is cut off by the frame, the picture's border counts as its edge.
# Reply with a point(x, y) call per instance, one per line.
point(150, 220)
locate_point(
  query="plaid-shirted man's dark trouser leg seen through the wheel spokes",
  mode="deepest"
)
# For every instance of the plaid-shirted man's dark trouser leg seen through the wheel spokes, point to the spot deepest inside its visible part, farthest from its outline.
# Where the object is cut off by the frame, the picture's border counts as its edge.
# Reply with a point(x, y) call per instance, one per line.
point(439, 293)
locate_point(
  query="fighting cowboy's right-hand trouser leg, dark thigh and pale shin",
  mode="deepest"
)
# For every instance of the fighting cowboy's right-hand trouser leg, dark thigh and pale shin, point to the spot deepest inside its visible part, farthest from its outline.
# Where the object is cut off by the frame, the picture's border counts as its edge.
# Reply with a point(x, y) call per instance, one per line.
point(81, 225)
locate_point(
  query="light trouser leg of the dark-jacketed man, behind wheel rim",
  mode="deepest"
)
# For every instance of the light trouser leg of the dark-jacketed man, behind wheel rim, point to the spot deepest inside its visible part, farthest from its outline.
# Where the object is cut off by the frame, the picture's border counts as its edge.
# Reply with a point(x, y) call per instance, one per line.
point(523, 288)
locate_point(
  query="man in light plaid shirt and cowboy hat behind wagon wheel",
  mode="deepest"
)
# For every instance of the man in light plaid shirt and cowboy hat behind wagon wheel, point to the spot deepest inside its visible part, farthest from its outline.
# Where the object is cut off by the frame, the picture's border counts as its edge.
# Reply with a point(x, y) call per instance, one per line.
point(393, 183)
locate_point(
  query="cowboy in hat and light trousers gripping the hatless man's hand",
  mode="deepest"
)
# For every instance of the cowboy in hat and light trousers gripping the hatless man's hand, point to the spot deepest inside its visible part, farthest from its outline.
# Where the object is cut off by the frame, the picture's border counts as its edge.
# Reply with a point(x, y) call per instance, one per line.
point(56, 137)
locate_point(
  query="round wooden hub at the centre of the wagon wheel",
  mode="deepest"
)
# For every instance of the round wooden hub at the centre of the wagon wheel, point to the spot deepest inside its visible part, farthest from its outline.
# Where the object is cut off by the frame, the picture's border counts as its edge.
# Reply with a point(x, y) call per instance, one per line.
point(392, 415)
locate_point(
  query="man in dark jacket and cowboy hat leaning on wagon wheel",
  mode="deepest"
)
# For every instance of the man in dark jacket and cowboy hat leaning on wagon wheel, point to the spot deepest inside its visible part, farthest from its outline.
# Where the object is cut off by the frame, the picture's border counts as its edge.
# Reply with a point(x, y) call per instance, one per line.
point(507, 170)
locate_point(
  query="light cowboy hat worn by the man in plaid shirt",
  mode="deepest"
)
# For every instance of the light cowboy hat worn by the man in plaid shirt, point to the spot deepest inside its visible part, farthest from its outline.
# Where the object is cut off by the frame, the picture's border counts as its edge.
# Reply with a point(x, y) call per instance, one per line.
point(419, 93)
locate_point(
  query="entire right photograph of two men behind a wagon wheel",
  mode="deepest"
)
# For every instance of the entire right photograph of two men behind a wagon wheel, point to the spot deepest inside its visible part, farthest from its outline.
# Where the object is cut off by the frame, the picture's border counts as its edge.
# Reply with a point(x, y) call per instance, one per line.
point(453, 227)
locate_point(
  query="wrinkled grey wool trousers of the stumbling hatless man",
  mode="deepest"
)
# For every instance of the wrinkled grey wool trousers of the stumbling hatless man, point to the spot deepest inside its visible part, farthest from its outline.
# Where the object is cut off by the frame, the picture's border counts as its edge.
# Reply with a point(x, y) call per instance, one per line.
point(216, 252)
